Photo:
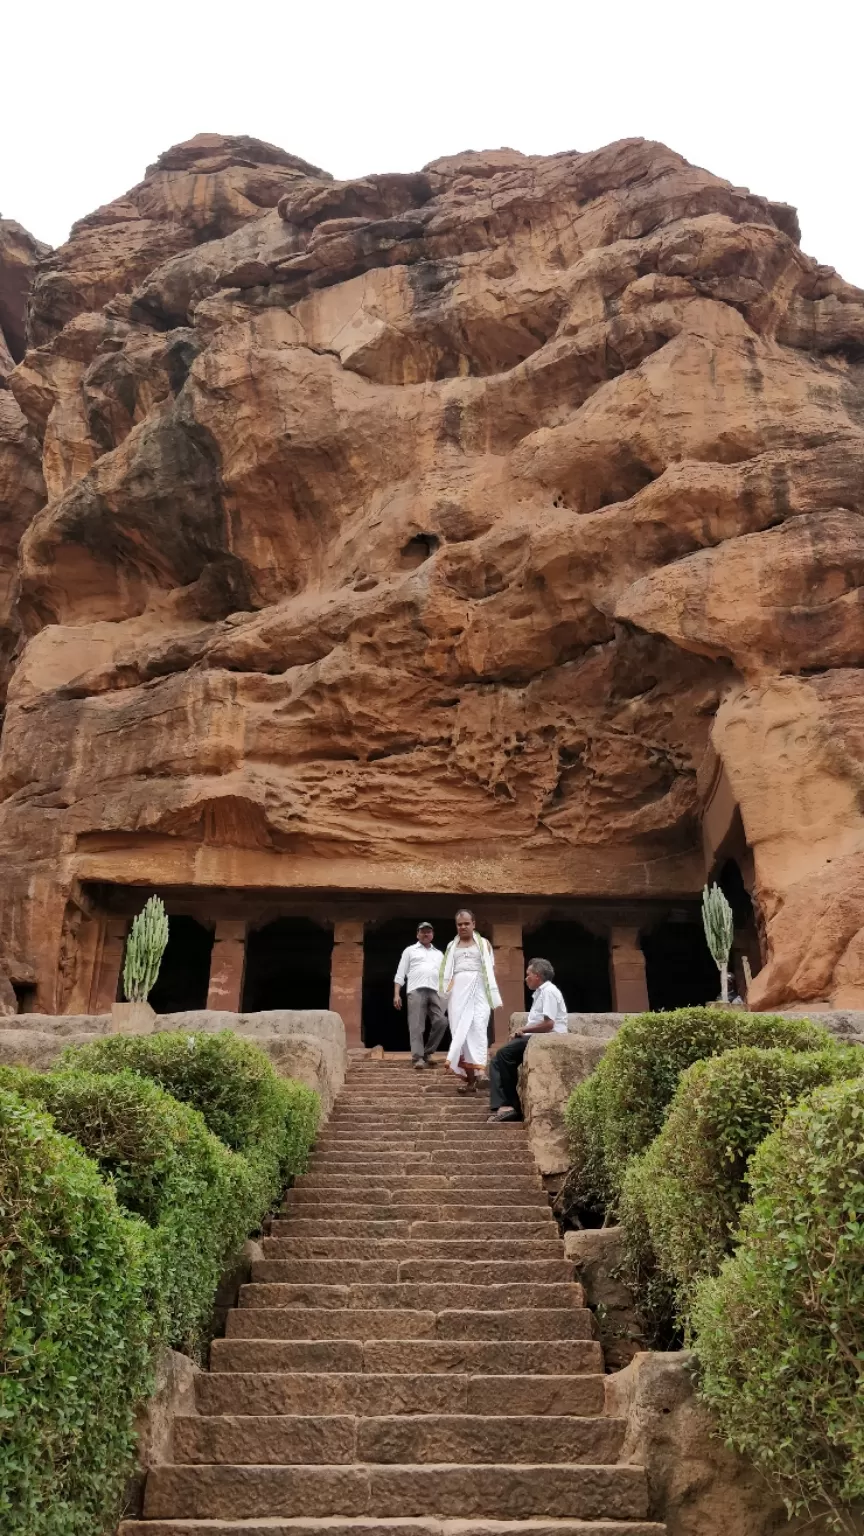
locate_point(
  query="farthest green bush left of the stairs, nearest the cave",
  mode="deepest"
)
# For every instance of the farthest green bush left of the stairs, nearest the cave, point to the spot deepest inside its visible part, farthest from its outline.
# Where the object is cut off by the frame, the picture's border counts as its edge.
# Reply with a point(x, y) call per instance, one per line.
point(231, 1082)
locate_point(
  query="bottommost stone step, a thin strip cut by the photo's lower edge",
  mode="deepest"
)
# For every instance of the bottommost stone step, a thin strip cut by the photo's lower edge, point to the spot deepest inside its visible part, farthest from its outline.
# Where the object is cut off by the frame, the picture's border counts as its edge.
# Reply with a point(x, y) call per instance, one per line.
point(387, 1528)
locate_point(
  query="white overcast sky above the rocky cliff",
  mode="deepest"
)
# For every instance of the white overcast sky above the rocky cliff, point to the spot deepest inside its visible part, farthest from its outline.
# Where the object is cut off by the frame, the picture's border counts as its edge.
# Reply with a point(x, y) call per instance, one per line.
point(765, 93)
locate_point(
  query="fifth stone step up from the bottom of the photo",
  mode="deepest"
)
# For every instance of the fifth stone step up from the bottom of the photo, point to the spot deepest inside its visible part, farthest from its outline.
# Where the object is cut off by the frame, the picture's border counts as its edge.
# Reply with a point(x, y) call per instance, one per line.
point(410, 1357)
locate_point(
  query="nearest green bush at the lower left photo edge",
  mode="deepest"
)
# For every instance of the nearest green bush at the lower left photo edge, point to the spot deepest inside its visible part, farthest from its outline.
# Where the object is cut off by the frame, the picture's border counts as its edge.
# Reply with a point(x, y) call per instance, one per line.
point(75, 1334)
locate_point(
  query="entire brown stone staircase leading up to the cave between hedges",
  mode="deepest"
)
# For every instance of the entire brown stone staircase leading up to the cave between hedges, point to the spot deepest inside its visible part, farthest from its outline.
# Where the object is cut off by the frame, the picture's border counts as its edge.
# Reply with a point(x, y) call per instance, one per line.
point(413, 1356)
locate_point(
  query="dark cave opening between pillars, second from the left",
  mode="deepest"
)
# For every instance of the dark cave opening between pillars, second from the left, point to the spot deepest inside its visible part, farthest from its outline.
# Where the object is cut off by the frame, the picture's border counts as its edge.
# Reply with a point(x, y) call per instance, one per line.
point(288, 965)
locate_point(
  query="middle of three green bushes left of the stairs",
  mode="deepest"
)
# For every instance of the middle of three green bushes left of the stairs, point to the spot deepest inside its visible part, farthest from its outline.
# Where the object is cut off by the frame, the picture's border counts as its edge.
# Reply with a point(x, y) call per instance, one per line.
point(167, 1168)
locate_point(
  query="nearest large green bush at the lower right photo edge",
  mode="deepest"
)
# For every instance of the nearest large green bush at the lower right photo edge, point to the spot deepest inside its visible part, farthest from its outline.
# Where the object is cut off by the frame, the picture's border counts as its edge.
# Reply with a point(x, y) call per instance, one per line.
point(782, 1329)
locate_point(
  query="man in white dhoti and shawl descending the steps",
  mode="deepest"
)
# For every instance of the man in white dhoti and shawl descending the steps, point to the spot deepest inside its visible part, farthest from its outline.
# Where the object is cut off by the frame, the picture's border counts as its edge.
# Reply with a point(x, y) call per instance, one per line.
point(468, 981)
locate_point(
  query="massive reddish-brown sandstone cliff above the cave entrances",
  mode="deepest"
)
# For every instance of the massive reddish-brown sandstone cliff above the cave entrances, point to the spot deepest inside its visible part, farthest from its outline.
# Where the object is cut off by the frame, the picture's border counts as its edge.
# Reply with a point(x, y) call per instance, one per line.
point(510, 483)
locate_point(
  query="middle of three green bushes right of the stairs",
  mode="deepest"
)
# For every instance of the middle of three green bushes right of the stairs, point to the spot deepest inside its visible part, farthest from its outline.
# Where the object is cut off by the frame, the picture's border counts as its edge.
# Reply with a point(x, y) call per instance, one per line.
point(688, 1190)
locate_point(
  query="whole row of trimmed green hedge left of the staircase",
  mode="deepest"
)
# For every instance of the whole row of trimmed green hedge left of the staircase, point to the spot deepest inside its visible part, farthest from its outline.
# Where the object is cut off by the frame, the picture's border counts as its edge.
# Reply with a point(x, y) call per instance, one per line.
point(196, 1137)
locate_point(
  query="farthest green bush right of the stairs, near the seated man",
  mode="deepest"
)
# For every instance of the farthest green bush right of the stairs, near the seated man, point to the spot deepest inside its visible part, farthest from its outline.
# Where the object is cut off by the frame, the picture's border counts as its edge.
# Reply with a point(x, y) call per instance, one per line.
point(620, 1110)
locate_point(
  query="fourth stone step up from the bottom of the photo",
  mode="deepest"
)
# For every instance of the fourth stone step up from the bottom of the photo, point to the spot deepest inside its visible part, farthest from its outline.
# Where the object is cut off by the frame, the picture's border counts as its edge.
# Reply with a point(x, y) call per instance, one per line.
point(367, 1395)
